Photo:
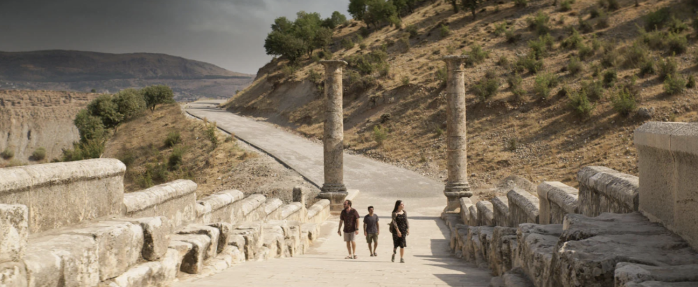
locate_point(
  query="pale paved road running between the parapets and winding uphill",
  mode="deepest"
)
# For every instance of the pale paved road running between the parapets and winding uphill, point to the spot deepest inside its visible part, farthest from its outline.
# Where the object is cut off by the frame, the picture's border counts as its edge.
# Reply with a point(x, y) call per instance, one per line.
point(428, 260)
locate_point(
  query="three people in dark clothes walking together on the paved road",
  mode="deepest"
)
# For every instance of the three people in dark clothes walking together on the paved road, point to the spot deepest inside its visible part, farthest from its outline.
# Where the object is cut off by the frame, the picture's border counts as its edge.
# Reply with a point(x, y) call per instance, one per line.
point(399, 227)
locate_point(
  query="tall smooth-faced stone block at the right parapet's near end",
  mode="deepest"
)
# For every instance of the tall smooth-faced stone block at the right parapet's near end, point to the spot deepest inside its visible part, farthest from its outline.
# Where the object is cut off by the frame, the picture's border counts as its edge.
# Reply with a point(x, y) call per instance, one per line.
point(668, 185)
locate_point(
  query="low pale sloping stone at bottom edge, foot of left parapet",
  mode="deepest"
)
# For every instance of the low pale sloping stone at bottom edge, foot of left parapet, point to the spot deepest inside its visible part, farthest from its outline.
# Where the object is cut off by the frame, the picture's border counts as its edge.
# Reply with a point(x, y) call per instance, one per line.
point(156, 273)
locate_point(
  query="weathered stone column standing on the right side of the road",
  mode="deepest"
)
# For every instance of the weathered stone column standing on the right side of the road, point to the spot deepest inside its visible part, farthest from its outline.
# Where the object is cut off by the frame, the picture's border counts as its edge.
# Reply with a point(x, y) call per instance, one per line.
point(456, 153)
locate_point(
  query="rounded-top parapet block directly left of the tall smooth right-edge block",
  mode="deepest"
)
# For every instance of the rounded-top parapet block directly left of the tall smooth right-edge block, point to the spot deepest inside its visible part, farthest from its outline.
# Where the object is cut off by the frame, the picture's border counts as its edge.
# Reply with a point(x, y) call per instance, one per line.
point(602, 189)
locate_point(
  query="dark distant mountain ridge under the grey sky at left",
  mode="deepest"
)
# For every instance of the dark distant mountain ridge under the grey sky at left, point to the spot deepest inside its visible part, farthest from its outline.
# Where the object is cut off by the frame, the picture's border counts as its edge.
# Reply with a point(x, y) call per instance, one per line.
point(84, 71)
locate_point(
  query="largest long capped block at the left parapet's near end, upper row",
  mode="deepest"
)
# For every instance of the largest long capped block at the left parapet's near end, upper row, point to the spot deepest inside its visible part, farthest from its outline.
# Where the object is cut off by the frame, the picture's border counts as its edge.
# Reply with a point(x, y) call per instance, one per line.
point(63, 194)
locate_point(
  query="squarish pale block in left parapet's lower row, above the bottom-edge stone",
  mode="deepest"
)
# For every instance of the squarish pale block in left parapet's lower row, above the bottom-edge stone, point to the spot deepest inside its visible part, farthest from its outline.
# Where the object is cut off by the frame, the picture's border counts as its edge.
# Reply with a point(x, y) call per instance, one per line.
point(119, 245)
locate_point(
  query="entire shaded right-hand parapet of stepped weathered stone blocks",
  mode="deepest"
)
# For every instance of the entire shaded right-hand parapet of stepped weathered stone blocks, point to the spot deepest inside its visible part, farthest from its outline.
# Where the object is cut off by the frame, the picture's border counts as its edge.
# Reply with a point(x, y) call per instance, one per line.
point(611, 231)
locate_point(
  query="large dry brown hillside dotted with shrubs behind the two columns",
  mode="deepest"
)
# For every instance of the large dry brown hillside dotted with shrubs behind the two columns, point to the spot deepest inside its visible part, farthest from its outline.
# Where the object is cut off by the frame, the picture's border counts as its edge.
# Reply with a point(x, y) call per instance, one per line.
point(523, 130)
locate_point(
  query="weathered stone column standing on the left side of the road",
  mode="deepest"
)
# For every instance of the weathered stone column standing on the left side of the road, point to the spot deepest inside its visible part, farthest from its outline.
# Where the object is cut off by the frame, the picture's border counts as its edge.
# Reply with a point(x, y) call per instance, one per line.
point(333, 137)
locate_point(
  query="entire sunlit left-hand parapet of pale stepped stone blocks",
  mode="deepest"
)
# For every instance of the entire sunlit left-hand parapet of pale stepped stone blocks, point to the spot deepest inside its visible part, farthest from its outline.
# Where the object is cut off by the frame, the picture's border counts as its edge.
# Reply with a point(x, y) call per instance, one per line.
point(70, 224)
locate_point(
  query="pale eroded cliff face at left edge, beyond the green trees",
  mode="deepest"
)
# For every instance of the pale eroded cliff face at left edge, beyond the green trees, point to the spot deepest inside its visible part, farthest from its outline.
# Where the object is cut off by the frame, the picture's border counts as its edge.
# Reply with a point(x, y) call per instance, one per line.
point(33, 119)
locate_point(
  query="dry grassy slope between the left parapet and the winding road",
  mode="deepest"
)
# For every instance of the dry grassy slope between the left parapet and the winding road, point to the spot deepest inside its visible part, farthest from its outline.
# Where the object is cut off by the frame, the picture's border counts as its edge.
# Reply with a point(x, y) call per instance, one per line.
point(229, 164)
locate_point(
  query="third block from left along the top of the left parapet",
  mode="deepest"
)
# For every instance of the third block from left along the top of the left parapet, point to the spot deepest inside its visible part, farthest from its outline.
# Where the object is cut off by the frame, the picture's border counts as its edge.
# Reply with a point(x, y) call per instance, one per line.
point(218, 207)
